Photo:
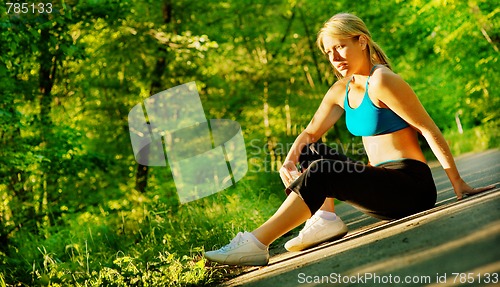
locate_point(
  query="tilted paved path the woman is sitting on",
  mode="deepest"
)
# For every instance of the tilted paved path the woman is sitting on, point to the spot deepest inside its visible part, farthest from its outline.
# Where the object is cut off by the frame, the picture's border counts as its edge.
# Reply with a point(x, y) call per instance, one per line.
point(425, 249)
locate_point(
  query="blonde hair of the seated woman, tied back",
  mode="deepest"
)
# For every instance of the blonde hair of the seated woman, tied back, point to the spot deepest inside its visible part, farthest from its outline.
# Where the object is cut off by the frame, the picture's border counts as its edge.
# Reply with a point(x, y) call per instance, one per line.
point(345, 25)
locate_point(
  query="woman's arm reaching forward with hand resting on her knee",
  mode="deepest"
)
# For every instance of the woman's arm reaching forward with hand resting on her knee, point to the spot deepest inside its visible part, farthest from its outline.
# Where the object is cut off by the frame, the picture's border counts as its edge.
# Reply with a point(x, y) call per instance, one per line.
point(325, 117)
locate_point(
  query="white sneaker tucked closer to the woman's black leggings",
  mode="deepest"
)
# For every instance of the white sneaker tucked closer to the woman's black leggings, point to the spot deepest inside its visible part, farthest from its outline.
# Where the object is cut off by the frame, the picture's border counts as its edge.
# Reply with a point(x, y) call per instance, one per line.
point(317, 230)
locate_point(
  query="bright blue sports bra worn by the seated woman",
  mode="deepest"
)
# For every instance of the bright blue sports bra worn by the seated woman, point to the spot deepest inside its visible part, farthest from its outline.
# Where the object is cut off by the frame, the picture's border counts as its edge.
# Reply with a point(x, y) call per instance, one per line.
point(368, 119)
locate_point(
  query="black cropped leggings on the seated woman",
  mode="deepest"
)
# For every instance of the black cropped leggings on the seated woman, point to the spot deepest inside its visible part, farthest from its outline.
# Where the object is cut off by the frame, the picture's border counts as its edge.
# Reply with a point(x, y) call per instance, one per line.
point(387, 191)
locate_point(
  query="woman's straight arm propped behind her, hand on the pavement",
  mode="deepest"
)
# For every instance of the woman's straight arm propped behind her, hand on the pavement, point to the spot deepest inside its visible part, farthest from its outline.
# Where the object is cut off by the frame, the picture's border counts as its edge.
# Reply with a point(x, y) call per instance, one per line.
point(397, 95)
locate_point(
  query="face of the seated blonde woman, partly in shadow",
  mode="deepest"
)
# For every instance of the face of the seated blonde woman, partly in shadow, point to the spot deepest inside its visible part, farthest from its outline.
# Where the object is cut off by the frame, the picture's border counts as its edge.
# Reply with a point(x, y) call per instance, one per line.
point(346, 55)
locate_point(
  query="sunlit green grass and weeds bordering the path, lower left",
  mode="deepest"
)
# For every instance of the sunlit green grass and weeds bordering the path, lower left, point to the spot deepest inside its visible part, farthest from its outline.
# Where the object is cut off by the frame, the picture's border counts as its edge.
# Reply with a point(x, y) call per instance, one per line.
point(142, 240)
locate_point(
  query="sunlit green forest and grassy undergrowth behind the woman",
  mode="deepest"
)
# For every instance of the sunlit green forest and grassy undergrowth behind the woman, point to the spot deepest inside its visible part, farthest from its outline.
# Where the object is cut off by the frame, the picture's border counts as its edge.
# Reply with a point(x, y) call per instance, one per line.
point(75, 207)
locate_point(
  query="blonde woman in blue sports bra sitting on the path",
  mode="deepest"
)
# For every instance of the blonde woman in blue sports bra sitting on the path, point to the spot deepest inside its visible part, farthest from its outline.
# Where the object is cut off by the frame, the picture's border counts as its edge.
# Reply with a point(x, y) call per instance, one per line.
point(381, 108)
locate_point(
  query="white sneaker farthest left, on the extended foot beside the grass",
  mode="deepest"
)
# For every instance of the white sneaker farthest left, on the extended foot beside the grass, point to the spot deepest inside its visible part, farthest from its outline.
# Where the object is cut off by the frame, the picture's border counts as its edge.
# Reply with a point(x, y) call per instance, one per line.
point(242, 250)
